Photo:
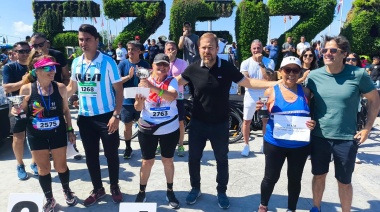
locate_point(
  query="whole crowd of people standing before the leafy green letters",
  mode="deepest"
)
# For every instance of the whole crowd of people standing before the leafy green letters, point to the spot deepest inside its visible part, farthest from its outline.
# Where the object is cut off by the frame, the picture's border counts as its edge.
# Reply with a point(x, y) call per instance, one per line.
point(326, 98)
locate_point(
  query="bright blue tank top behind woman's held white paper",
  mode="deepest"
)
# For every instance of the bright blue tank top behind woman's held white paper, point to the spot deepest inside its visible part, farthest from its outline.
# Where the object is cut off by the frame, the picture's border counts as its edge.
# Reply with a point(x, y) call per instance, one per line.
point(281, 106)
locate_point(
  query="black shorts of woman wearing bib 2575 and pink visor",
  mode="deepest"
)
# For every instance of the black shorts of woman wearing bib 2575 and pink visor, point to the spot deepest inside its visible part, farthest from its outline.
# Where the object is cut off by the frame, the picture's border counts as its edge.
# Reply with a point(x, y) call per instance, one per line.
point(52, 139)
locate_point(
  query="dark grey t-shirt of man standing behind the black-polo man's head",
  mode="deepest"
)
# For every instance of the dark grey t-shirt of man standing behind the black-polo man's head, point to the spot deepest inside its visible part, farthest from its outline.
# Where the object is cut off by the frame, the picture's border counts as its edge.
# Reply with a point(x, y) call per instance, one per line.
point(190, 49)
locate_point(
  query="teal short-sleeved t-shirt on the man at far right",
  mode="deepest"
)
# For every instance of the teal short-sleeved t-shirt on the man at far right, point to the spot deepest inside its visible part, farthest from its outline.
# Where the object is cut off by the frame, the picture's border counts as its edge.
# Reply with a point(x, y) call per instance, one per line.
point(336, 100)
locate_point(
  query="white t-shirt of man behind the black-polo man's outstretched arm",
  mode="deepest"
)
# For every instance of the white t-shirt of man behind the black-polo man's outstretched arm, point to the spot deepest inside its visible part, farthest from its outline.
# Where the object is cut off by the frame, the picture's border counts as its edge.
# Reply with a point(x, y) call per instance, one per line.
point(253, 69)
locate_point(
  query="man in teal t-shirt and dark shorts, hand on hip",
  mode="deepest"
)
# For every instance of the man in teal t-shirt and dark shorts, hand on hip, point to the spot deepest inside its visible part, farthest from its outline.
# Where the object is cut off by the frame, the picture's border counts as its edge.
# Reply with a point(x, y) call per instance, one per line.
point(337, 88)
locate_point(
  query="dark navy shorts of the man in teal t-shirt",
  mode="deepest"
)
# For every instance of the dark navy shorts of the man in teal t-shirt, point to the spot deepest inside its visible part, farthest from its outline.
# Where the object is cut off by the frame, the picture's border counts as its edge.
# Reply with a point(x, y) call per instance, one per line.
point(344, 152)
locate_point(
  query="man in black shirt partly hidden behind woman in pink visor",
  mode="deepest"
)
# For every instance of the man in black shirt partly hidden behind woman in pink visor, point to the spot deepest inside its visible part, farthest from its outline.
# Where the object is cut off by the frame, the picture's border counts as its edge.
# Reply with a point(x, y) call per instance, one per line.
point(40, 43)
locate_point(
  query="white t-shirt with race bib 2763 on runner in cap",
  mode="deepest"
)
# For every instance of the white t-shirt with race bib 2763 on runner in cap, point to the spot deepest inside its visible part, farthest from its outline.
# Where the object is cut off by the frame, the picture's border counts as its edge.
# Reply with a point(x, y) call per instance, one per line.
point(164, 111)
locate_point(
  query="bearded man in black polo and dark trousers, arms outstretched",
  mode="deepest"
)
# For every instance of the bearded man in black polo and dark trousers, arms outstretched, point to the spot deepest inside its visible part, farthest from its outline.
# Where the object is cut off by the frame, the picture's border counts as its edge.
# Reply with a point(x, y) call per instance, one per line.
point(212, 78)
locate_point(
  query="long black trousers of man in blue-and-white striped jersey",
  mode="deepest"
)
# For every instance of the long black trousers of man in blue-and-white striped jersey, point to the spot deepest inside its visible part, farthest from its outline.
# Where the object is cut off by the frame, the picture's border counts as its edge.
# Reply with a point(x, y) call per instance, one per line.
point(91, 130)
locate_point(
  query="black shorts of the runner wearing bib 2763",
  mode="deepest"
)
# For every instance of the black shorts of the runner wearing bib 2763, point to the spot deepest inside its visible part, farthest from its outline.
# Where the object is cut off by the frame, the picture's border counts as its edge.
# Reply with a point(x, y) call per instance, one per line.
point(148, 144)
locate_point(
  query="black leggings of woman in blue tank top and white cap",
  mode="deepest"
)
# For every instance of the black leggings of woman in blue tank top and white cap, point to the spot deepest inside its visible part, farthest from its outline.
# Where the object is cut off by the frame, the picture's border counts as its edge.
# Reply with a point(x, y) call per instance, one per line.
point(274, 159)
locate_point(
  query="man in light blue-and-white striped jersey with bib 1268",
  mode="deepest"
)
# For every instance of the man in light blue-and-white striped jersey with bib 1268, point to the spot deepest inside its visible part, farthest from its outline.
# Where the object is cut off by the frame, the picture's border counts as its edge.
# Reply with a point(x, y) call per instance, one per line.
point(96, 78)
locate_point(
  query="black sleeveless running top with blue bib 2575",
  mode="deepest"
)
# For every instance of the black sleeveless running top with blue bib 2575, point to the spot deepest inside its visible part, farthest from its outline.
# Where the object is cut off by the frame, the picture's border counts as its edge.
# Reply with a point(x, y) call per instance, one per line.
point(45, 113)
